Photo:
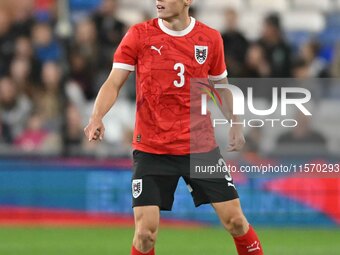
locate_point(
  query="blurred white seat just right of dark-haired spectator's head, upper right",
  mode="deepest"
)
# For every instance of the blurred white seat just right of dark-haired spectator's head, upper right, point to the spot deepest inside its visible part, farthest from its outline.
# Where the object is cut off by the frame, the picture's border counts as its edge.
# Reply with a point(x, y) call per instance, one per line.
point(311, 21)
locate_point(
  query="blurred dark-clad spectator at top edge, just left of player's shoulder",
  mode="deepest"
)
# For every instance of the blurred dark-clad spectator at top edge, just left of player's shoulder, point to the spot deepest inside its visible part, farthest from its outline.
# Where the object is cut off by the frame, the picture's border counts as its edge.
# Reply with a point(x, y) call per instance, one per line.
point(110, 31)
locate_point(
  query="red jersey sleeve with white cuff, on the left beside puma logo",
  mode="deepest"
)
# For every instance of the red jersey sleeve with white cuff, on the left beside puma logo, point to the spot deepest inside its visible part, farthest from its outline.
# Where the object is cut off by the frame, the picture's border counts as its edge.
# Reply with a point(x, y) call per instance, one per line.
point(125, 56)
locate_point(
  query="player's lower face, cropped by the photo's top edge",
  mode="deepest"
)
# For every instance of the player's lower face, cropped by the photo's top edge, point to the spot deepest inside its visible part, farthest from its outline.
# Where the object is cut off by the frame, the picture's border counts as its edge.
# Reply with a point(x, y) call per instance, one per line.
point(172, 8)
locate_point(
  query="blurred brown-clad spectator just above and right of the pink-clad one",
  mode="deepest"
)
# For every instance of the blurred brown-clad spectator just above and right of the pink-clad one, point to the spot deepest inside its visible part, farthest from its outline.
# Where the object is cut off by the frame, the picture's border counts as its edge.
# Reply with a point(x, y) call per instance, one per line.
point(49, 101)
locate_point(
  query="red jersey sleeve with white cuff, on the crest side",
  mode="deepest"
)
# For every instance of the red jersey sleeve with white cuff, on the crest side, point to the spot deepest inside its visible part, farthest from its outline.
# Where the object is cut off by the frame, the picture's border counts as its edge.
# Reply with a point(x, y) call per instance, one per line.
point(218, 70)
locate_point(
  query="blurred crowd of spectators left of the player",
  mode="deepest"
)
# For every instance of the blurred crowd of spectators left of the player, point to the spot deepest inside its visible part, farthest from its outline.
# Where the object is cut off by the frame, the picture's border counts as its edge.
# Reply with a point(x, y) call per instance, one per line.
point(49, 80)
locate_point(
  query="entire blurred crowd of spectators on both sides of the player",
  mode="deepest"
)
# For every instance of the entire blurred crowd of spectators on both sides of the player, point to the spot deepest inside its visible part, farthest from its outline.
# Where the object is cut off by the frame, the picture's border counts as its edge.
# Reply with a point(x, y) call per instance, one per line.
point(52, 66)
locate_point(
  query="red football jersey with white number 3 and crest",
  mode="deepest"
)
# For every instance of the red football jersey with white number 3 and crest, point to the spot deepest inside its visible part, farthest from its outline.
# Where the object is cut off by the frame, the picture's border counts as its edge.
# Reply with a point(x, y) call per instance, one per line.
point(165, 61)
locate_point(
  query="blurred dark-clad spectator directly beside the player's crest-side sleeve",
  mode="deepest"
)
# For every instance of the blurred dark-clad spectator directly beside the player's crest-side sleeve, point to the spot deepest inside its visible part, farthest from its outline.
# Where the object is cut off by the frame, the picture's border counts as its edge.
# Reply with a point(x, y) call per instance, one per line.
point(235, 45)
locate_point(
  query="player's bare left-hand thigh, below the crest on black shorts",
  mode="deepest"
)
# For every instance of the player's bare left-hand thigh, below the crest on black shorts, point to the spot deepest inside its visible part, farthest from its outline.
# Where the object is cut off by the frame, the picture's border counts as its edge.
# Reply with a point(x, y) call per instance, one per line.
point(146, 218)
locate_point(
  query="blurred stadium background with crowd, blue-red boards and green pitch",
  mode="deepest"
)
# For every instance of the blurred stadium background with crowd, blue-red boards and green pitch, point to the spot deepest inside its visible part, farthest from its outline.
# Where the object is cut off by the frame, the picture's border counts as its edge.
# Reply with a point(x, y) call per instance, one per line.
point(60, 194)
